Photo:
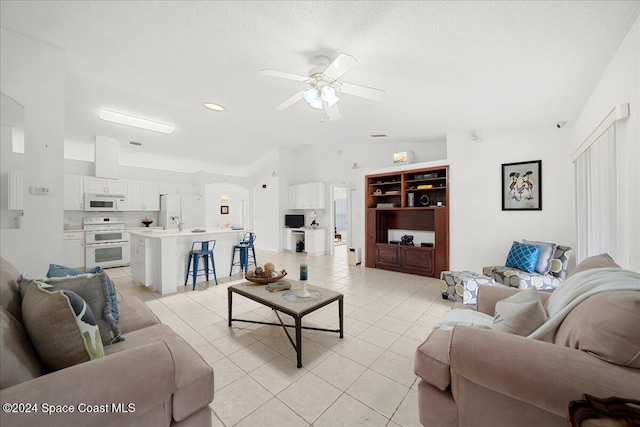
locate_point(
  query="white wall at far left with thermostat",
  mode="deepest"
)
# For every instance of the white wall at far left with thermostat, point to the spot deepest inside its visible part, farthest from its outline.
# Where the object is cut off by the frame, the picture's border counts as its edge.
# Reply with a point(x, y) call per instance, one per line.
point(32, 73)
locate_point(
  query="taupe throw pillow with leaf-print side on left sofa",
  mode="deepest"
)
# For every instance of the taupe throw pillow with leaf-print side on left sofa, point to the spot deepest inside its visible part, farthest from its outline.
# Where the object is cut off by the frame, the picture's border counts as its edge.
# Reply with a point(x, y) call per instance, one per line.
point(61, 326)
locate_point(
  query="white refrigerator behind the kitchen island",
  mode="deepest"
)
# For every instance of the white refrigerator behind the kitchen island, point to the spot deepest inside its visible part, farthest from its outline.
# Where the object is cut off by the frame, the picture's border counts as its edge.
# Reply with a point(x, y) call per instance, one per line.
point(176, 208)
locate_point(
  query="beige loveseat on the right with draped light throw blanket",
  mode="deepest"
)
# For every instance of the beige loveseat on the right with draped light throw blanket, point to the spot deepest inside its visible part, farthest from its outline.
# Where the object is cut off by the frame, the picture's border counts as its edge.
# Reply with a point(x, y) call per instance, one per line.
point(481, 377)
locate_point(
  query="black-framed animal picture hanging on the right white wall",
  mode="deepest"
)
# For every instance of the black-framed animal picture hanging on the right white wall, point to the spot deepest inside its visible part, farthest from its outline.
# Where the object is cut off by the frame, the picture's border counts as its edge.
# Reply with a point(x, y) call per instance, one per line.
point(521, 188)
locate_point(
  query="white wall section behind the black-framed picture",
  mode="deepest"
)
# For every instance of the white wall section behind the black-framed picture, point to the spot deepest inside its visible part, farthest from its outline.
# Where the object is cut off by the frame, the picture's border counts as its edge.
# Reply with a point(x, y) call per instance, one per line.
point(480, 232)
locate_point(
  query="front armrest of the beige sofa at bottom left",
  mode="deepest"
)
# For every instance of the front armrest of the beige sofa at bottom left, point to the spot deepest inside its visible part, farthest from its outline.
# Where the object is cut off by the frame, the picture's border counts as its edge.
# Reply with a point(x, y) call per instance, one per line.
point(142, 377)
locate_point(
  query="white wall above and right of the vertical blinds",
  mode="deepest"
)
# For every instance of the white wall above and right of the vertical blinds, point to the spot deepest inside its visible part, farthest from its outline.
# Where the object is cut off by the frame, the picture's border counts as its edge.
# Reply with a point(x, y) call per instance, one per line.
point(620, 83)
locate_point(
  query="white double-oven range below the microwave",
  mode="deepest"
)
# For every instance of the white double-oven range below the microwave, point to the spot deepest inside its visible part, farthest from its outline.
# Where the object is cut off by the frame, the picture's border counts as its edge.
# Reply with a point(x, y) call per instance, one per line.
point(106, 242)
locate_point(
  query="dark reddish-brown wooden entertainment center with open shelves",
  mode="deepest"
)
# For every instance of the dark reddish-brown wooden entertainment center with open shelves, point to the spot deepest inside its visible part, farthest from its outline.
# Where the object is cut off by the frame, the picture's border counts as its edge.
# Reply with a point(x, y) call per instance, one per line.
point(415, 202)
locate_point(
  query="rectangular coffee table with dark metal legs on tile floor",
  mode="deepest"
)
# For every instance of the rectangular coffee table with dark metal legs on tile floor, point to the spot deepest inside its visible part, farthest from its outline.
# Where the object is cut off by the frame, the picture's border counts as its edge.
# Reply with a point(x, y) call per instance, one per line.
point(288, 302)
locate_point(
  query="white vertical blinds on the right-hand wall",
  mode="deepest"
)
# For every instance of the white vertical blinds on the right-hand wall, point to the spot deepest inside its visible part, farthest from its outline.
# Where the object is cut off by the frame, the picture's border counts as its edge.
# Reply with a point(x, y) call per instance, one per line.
point(596, 198)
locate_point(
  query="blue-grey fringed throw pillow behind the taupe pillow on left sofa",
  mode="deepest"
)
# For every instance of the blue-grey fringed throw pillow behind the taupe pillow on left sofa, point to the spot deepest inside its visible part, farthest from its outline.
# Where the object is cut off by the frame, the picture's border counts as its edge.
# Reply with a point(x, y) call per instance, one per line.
point(93, 289)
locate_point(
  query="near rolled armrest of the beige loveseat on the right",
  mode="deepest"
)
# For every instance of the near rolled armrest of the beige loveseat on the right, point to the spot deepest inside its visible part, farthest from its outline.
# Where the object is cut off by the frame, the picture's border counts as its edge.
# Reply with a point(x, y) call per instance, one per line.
point(542, 374)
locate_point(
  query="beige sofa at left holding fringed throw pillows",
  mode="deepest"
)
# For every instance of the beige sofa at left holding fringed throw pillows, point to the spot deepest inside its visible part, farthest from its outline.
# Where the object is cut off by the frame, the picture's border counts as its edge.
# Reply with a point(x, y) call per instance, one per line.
point(152, 378)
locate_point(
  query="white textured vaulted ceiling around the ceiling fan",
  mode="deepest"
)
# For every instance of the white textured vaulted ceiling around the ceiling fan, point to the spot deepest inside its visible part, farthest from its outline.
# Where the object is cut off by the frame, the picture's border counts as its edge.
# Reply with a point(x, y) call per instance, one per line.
point(445, 66)
